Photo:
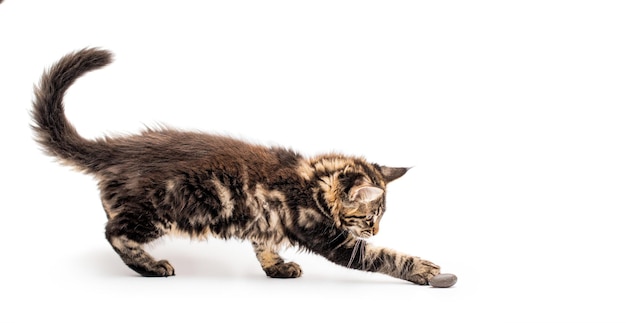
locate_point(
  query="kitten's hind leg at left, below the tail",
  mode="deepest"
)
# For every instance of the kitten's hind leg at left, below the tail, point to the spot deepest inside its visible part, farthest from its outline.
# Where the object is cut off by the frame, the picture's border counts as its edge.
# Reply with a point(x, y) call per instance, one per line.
point(128, 233)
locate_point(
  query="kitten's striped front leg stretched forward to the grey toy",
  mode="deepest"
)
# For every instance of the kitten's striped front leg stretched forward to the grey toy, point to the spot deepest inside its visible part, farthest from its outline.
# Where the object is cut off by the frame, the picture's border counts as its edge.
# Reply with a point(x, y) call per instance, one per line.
point(358, 254)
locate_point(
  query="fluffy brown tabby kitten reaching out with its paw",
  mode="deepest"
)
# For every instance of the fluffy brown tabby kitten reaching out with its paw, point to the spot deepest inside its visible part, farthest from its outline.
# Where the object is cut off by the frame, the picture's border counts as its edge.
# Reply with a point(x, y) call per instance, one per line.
point(165, 181)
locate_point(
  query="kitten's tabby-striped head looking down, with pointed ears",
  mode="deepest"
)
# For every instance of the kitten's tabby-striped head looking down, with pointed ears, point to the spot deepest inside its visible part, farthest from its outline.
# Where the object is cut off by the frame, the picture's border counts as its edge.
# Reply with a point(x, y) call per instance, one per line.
point(355, 192)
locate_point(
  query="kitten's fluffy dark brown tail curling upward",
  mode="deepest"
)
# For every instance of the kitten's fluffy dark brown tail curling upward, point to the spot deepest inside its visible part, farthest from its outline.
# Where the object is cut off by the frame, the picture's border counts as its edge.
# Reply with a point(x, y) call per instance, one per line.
point(53, 131)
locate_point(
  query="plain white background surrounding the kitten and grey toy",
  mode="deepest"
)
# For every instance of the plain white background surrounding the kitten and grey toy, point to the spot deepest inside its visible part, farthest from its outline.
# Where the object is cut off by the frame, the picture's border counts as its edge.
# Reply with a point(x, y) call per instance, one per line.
point(512, 114)
